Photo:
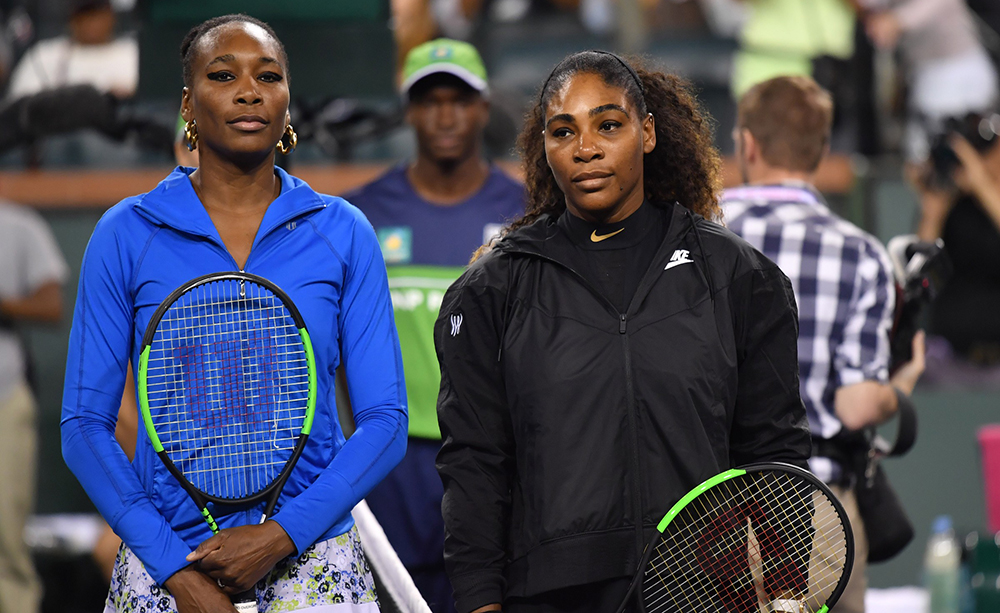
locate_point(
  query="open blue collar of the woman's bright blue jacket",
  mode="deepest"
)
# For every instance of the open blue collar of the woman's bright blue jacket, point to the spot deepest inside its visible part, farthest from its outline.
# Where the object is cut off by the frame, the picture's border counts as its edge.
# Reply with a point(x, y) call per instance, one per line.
point(174, 203)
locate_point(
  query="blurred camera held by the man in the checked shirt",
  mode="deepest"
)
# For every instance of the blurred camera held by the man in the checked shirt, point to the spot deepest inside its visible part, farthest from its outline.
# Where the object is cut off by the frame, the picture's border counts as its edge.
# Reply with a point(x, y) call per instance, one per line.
point(922, 269)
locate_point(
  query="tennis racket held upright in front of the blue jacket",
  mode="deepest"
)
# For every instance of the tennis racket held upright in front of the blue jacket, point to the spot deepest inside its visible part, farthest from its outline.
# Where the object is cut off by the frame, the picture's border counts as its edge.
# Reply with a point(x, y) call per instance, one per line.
point(227, 390)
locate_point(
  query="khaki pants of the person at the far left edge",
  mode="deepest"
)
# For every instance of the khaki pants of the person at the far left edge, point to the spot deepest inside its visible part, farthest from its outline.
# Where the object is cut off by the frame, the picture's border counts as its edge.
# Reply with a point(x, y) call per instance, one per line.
point(20, 591)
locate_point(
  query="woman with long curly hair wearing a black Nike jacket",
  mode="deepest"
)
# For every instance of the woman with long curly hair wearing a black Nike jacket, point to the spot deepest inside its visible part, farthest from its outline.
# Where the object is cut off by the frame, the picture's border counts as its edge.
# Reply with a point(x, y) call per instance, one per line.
point(611, 351)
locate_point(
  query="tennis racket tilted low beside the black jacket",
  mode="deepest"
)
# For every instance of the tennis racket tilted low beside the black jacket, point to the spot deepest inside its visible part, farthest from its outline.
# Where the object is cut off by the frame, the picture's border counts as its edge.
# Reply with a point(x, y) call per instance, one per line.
point(760, 539)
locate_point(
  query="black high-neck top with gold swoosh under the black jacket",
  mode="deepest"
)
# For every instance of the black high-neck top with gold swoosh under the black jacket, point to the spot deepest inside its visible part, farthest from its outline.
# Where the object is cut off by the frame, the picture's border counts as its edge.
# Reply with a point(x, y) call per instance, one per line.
point(614, 257)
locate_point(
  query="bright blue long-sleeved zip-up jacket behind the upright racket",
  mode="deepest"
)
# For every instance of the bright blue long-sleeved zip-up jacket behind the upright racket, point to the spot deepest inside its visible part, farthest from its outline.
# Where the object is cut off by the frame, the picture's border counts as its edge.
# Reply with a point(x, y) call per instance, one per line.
point(319, 249)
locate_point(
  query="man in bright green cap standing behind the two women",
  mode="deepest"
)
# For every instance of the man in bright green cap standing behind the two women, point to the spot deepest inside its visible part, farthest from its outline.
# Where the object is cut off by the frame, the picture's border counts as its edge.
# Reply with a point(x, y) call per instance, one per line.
point(430, 215)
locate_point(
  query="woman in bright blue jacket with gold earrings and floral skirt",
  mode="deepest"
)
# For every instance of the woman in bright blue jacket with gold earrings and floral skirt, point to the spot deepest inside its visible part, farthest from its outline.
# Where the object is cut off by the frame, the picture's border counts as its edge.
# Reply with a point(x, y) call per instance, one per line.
point(236, 211)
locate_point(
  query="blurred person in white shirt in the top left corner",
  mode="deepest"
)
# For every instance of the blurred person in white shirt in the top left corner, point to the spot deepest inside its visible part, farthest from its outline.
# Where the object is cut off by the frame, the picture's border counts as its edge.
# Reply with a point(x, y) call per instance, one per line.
point(89, 55)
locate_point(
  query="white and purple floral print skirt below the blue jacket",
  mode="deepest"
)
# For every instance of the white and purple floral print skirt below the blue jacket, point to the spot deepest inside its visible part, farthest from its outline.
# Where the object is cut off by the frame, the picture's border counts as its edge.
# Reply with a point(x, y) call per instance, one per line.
point(331, 576)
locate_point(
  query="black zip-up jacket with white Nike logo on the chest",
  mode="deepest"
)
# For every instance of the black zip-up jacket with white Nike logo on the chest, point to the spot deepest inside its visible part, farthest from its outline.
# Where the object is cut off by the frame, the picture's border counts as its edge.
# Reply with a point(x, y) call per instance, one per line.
point(569, 429)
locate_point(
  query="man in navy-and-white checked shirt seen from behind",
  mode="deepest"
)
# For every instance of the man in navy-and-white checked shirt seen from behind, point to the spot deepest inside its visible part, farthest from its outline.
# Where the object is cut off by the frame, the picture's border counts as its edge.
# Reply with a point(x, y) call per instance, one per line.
point(842, 278)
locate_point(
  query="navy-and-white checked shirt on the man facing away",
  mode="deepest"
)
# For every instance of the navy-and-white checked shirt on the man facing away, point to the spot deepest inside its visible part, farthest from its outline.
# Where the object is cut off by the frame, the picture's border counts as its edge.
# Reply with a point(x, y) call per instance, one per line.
point(843, 283)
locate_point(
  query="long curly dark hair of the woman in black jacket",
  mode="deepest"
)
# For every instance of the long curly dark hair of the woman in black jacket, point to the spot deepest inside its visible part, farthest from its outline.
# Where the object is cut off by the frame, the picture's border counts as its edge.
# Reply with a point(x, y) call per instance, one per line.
point(684, 167)
